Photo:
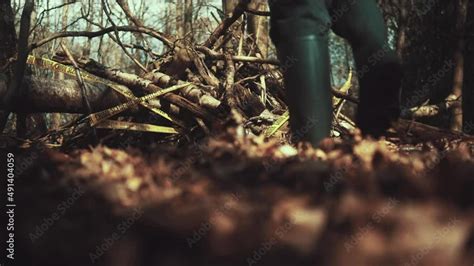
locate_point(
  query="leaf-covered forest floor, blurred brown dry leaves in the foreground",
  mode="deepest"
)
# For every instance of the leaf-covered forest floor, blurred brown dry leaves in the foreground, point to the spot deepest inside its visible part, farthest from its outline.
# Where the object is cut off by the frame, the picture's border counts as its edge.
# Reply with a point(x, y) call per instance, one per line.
point(239, 200)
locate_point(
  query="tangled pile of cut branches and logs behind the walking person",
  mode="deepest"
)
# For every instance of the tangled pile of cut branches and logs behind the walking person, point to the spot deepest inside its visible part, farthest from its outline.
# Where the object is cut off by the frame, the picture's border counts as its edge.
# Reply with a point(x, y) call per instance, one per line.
point(225, 78)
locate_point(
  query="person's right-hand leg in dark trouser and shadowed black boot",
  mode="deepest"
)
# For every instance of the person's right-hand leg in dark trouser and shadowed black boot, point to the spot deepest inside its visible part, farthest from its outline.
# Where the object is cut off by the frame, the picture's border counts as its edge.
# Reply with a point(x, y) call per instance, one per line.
point(361, 23)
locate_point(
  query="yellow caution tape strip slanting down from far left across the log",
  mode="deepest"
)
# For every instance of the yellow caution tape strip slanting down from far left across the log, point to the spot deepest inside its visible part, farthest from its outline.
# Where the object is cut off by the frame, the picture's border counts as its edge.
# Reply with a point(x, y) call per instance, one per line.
point(68, 70)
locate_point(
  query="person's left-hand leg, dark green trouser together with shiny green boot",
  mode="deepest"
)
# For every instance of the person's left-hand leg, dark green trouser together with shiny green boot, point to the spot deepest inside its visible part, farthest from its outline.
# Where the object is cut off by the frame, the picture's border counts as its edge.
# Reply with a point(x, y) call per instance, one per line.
point(300, 33)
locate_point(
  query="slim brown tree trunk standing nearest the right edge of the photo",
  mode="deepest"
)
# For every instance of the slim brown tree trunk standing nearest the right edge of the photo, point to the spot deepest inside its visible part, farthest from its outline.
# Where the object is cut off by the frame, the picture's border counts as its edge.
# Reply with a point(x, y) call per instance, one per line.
point(456, 119)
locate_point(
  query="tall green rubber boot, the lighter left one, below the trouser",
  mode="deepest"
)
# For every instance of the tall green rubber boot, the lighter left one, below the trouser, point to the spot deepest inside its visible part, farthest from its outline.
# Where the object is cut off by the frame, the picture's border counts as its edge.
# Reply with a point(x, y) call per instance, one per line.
point(307, 87)
